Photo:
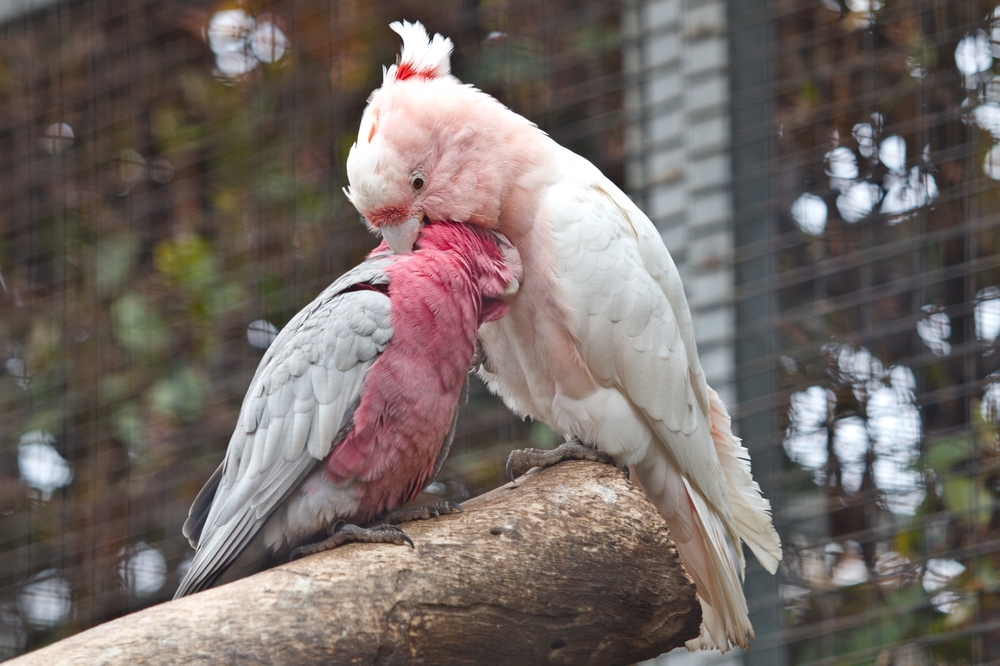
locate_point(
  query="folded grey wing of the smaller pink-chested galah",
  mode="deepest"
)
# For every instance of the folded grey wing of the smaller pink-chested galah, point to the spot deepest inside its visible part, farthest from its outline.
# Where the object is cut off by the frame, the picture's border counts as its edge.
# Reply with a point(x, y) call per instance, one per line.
point(299, 405)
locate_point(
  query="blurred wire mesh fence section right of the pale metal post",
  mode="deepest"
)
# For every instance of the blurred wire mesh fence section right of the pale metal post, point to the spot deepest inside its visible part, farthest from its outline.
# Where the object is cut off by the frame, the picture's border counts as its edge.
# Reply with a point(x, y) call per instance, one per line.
point(869, 272)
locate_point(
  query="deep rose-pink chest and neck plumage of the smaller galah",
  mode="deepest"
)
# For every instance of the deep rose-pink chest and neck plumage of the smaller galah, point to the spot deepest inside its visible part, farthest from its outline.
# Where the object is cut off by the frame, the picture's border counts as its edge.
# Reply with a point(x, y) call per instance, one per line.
point(411, 393)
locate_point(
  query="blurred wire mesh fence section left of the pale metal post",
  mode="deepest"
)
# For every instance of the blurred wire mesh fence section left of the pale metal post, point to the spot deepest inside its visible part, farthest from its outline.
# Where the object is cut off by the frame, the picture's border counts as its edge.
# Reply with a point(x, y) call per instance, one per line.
point(171, 193)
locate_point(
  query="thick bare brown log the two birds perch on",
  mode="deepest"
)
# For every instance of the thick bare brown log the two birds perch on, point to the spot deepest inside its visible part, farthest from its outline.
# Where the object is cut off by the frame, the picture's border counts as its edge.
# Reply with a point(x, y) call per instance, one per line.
point(568, 565)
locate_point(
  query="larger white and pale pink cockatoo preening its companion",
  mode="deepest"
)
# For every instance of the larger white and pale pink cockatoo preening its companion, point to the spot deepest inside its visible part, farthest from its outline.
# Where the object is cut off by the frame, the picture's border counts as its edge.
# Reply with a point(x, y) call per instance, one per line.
point(598, 342)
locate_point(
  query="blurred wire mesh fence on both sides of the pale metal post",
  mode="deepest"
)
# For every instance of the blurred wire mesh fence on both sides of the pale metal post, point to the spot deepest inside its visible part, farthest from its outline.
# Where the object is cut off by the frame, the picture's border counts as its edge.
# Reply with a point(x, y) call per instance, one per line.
point(171, 193)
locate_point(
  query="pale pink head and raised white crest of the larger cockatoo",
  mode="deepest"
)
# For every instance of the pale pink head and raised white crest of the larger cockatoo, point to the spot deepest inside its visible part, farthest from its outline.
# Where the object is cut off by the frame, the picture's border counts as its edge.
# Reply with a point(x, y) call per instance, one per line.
point(429, 149)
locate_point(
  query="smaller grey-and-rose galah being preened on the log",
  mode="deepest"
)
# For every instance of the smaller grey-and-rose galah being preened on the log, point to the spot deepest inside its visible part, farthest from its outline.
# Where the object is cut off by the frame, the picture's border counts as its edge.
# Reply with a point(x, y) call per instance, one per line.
point(353, 408)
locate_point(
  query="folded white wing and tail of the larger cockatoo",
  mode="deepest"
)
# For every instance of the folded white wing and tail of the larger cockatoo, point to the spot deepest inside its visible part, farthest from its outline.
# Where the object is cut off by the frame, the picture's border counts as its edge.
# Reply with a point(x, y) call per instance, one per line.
point(635, 333)
